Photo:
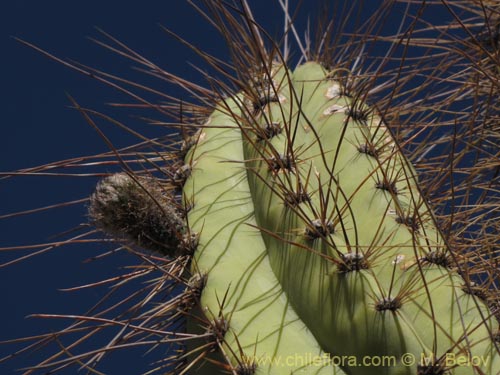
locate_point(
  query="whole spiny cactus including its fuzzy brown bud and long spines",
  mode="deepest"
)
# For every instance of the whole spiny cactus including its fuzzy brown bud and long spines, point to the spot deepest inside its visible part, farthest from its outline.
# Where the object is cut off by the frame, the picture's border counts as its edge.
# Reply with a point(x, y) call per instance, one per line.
point(323, 216)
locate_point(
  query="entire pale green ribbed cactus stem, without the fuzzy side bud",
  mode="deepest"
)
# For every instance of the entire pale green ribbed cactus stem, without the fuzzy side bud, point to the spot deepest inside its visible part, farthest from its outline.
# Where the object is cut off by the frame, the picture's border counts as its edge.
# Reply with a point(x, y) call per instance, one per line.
point(290, 186)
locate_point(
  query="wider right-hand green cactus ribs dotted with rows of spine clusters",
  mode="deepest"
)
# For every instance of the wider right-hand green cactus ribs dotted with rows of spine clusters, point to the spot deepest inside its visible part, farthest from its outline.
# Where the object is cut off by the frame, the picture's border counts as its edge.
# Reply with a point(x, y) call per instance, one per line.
point(352, 257)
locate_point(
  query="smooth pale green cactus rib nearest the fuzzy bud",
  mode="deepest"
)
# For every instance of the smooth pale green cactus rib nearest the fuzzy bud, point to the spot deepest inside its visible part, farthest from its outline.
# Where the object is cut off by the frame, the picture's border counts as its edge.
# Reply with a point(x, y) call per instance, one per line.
point(232, 253)
